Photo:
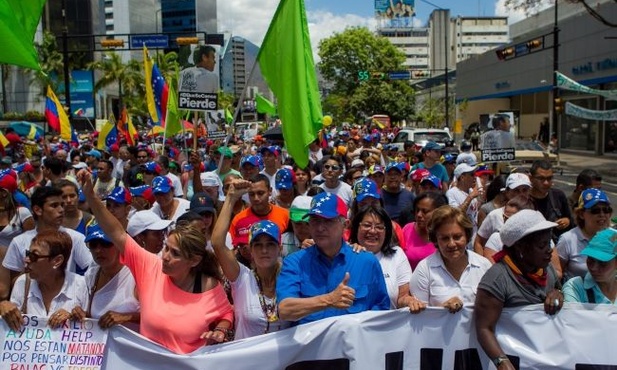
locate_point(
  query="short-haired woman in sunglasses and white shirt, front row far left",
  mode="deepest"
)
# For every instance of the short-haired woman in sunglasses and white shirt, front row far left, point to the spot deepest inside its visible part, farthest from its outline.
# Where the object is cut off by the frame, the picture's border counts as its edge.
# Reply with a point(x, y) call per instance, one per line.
point(47, 289)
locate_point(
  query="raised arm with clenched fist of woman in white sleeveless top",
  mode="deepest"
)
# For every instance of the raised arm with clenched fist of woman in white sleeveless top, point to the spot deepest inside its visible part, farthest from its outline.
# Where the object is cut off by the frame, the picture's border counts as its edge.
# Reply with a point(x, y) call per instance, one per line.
point(225, 256)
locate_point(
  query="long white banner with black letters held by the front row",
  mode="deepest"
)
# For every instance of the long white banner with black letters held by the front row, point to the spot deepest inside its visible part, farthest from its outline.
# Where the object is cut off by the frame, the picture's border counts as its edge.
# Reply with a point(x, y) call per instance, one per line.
point(579, 337)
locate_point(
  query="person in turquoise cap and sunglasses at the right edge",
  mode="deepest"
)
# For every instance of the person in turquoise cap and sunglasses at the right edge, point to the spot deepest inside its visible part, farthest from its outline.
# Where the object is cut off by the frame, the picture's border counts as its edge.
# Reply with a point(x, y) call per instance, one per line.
point(599, 284)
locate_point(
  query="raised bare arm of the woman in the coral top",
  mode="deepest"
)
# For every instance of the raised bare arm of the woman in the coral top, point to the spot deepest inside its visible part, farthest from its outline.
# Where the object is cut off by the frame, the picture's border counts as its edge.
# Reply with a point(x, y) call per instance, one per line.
point(109, 224)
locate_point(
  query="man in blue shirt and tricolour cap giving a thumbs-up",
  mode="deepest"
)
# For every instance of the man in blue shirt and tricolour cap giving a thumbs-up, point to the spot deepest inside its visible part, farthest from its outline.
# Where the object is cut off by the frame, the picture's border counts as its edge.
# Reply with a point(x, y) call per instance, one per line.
point(329, 279)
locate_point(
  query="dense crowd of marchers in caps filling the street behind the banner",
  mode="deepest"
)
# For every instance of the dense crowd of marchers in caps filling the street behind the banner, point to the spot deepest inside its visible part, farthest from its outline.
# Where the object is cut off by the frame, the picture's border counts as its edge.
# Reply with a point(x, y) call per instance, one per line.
point(230, 241)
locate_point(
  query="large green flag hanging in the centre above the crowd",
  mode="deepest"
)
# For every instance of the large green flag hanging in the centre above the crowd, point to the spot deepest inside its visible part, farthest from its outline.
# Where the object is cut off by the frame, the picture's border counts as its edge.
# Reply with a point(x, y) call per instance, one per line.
point(286, 62)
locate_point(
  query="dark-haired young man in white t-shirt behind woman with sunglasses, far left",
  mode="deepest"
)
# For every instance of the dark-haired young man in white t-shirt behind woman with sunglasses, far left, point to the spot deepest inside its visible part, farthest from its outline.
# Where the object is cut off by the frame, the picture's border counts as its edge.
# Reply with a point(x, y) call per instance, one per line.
point(48, 212)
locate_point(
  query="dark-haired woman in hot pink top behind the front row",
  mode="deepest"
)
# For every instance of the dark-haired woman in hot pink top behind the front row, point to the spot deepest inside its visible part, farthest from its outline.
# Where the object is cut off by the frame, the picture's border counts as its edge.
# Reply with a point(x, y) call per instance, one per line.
point(417, 244)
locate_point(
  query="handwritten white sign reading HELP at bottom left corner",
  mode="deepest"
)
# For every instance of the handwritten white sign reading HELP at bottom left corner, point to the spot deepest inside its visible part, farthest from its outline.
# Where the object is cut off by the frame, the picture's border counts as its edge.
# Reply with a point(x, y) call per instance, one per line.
point(74, 346)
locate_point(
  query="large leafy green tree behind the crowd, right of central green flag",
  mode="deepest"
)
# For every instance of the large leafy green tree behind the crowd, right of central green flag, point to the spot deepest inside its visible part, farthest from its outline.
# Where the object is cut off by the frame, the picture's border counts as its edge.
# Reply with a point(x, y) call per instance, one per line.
point(343, 56)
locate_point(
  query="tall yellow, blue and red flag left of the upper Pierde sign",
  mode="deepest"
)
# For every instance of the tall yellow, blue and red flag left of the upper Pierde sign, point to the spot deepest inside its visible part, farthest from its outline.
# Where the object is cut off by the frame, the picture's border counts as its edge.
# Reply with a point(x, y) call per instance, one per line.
point(157, 91)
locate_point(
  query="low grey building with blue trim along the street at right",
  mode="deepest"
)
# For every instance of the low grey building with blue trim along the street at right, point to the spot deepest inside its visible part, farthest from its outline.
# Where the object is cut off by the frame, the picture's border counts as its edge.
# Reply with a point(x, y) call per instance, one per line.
point(518, 76)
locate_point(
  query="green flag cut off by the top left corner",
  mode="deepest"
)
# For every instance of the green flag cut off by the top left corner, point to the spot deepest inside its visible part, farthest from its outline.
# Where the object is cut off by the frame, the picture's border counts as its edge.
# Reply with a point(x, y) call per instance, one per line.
point(19, 21)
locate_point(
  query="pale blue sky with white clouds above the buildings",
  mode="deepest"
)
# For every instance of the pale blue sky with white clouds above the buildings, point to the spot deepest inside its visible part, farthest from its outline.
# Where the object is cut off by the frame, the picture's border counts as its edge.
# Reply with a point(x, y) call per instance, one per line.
point(250, 18)
